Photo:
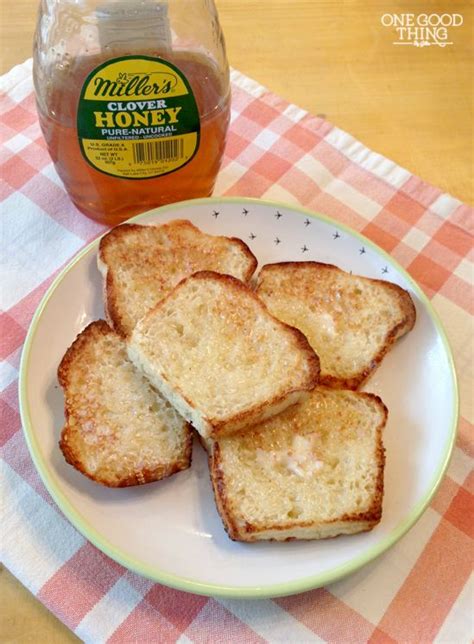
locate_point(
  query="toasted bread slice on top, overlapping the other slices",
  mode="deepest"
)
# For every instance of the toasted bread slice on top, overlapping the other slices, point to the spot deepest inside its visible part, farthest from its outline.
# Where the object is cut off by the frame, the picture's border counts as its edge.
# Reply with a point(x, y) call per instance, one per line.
point(212, 348)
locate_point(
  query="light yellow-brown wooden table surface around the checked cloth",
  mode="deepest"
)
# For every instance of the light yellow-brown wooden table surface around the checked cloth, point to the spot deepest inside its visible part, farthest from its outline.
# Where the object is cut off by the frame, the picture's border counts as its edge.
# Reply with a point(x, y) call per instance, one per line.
point(333, 58)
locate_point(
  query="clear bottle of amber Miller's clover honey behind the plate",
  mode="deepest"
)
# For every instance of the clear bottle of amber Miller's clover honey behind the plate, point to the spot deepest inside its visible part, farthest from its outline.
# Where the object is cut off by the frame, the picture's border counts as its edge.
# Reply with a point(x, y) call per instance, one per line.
point(133, 98)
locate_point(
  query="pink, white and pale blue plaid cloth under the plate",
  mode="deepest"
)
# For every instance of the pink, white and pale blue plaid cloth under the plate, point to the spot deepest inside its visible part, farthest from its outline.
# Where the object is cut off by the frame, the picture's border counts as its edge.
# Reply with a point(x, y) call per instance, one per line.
point(419, 590)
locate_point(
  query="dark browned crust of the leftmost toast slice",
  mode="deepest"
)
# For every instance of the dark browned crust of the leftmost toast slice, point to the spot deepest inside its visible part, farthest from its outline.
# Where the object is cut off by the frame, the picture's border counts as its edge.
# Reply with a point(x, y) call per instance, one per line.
point(138, 477)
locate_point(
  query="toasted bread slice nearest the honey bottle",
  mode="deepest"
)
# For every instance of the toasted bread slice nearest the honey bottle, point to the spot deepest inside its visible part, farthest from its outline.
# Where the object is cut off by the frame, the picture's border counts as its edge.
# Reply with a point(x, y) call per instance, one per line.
point(141, 264)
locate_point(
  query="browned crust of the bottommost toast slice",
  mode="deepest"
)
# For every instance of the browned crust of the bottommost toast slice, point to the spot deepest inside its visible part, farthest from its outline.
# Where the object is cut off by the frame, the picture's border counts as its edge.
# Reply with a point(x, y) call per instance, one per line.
point(297, 529)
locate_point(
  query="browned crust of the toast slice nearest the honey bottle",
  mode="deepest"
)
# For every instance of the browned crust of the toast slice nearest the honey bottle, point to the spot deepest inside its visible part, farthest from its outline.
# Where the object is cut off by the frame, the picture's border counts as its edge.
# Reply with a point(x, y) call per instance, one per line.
point(113, 310)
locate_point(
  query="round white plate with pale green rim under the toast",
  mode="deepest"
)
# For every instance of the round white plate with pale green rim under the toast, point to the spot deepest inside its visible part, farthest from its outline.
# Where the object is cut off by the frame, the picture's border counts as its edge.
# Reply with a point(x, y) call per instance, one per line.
point(170, 530)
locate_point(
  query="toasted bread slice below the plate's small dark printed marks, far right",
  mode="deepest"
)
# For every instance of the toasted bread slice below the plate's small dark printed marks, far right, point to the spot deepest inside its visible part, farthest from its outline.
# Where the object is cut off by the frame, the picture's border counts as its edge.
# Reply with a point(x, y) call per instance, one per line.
point(351, 322)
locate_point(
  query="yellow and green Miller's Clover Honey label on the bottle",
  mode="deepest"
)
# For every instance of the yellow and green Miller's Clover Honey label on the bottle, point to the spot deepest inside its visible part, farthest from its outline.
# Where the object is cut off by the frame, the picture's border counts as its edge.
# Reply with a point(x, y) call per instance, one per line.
point(137, 118)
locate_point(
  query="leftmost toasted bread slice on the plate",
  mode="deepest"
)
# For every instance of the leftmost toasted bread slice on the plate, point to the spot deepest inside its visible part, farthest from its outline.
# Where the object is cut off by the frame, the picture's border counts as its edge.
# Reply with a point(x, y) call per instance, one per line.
point(118, 430)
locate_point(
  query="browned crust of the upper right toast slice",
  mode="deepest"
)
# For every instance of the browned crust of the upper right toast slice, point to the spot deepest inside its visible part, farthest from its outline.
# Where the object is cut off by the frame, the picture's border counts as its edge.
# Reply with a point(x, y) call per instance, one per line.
point(397, 331)
